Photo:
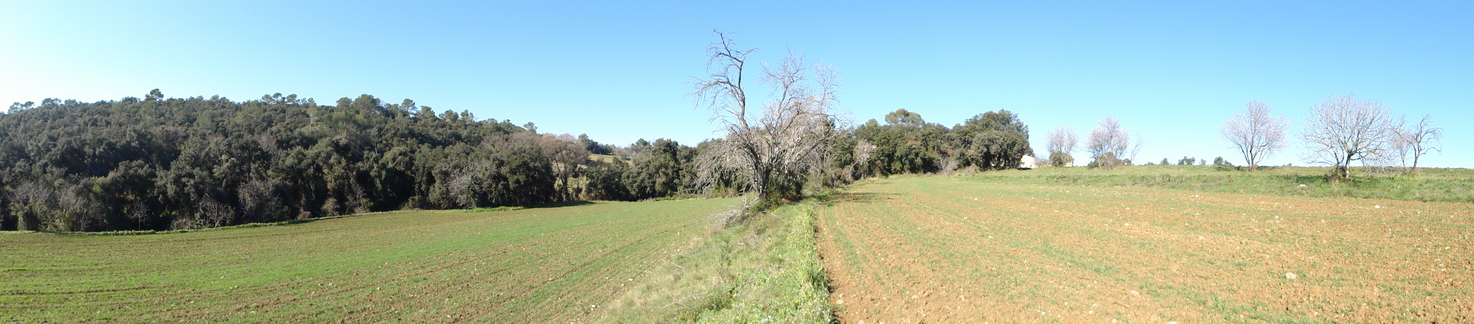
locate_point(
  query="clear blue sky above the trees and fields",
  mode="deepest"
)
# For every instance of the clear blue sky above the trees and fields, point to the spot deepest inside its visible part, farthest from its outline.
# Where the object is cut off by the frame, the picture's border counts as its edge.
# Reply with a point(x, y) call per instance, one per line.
point(1171, 71)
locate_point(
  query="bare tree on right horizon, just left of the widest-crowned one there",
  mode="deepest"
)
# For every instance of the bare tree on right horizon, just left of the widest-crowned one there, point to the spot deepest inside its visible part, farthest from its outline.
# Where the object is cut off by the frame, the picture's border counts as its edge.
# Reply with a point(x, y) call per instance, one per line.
point(1257, 133)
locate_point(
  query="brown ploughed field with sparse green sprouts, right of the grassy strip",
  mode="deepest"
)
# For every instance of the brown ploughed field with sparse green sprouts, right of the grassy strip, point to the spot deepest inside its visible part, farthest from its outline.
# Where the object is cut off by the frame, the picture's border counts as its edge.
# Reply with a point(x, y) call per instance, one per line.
point(951, 251)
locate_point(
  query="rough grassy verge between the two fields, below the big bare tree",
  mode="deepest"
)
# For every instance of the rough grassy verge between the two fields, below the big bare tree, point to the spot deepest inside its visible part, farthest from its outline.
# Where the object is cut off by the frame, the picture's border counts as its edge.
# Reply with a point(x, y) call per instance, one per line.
point(766, 270)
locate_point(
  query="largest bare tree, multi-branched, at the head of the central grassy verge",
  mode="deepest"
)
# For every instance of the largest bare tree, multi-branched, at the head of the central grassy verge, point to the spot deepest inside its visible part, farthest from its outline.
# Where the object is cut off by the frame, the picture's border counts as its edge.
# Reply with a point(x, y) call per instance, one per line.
point(775, 152)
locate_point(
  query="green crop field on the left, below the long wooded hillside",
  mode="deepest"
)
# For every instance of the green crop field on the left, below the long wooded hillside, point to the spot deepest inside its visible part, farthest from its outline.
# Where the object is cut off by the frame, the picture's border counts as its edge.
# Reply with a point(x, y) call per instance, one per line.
point(530, 266)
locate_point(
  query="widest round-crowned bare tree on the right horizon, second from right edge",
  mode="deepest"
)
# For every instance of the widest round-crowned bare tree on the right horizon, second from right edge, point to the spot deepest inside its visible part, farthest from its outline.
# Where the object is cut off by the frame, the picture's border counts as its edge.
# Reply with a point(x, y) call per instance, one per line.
point(1344, 130)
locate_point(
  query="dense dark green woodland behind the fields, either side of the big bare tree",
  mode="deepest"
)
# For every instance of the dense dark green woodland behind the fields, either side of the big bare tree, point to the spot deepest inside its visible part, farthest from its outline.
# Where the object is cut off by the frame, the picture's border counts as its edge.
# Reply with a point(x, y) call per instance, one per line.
point(170, 164)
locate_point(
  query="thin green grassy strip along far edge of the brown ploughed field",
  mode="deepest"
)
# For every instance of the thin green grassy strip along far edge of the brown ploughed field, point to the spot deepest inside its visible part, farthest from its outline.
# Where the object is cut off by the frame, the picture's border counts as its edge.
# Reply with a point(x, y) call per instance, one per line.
point(1425, 186)
